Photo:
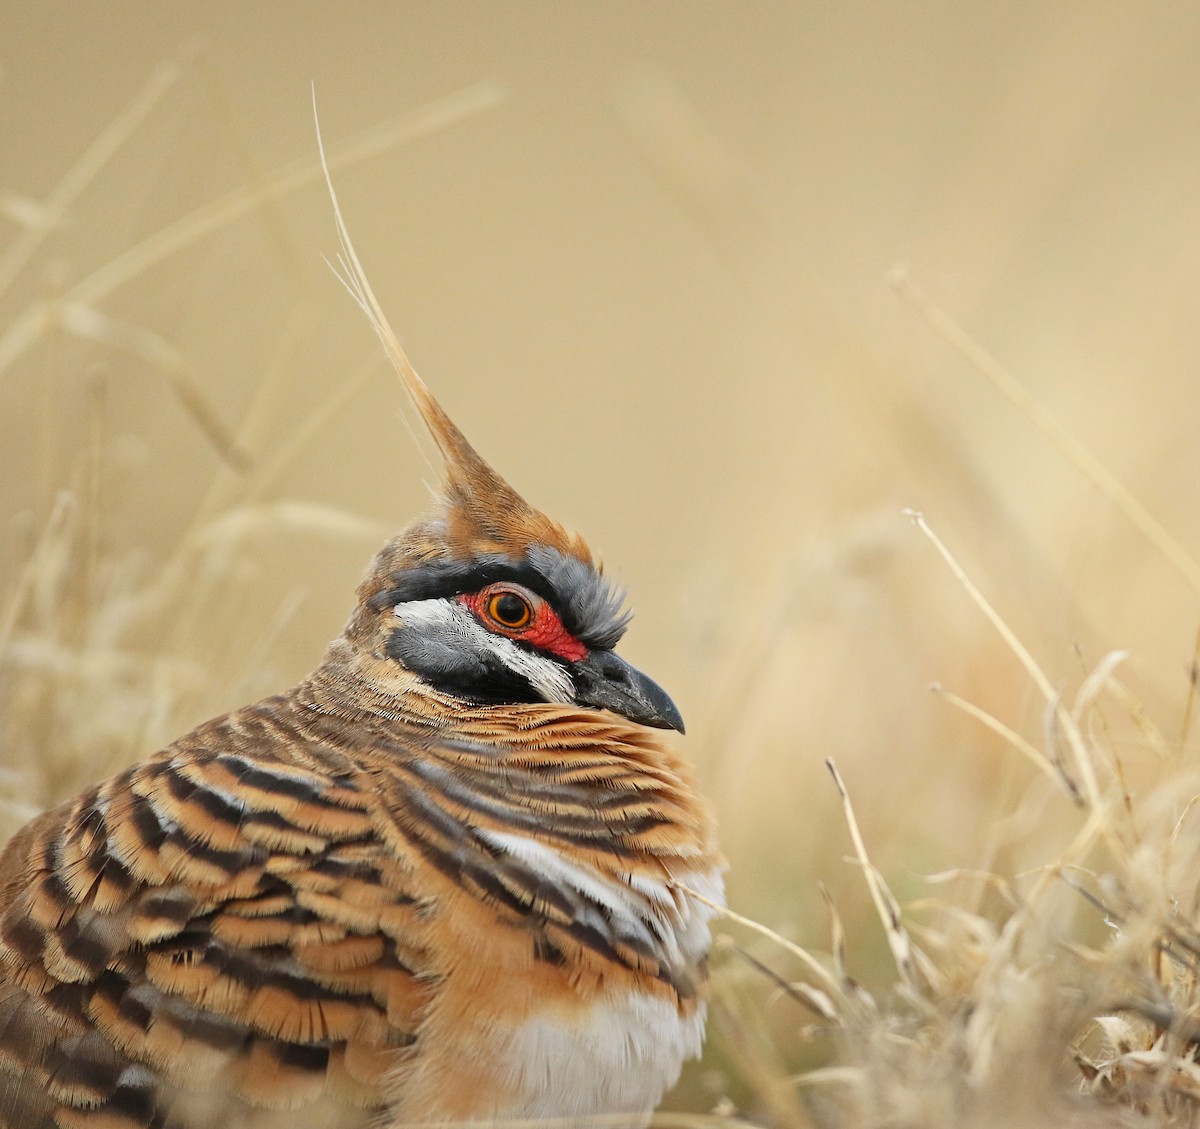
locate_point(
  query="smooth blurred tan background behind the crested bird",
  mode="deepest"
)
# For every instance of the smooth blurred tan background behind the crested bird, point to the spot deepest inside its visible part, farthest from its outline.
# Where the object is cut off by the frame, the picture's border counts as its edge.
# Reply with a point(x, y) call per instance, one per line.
point(646, 266)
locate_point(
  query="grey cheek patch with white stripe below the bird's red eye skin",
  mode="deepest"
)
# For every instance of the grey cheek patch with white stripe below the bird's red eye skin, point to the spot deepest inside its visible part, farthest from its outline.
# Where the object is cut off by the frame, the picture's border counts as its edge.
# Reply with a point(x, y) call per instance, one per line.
point(445, 640)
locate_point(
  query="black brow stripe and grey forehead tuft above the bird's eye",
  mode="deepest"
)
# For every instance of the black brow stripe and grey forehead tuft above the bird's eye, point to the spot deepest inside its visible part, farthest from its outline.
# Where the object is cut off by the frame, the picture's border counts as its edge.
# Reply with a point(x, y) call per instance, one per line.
point(589, 606)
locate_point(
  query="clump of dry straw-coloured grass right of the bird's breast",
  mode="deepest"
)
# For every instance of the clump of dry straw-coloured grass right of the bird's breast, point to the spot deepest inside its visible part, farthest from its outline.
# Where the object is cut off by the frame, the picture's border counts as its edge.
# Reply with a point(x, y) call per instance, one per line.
point(1060, 994)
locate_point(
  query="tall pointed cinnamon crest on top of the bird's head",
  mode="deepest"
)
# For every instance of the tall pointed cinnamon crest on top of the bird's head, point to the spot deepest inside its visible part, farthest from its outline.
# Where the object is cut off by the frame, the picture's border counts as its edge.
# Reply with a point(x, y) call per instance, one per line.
point(483, 512)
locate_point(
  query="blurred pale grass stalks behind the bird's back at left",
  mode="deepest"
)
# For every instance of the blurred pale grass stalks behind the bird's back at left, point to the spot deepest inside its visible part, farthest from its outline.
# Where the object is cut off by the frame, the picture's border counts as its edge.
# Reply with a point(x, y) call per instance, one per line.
point(98, 654)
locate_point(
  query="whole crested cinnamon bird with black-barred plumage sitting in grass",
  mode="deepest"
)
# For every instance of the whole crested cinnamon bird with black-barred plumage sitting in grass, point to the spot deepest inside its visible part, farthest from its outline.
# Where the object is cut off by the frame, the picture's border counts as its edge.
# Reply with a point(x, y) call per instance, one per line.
point(437, 881)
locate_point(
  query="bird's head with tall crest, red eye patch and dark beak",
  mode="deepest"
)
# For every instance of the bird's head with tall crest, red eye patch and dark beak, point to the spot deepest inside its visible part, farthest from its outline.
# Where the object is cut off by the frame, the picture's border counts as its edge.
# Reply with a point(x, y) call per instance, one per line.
point(489, 600)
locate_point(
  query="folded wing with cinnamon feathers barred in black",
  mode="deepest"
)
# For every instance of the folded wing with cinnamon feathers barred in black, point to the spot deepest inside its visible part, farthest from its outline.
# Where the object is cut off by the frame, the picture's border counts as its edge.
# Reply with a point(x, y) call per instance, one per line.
point(223, 918)
